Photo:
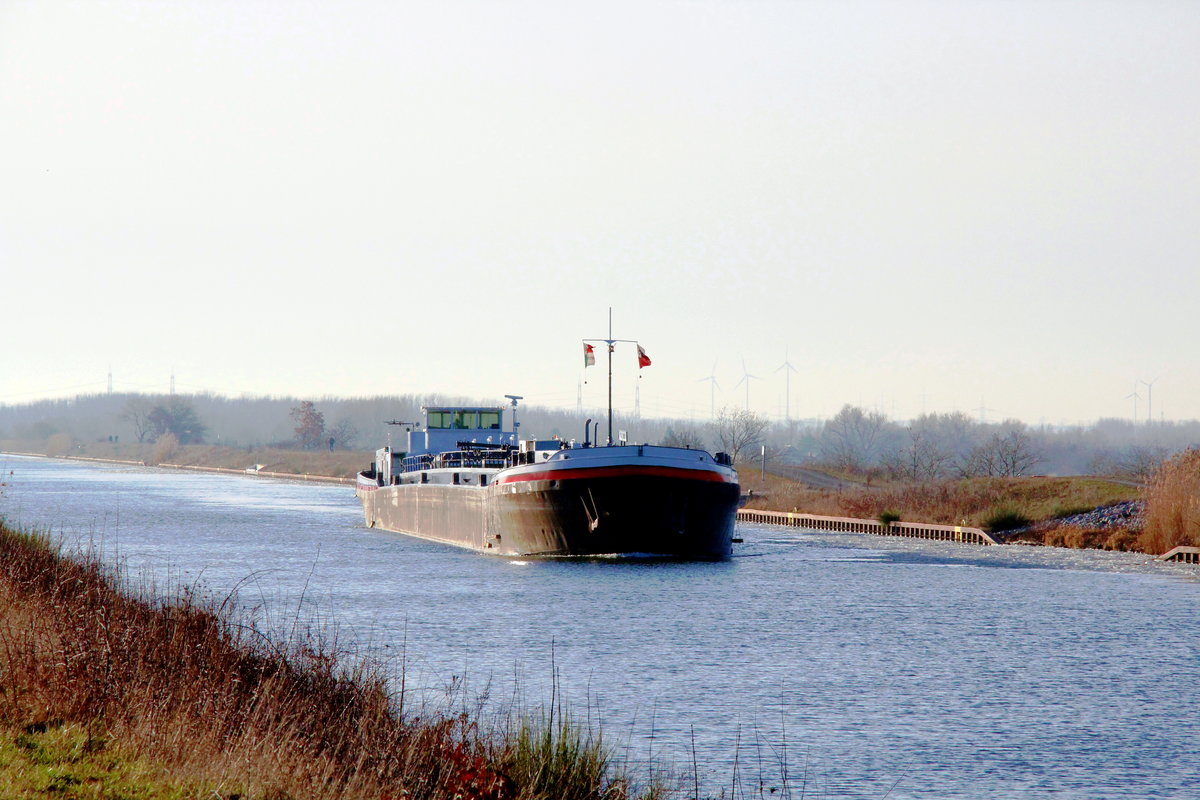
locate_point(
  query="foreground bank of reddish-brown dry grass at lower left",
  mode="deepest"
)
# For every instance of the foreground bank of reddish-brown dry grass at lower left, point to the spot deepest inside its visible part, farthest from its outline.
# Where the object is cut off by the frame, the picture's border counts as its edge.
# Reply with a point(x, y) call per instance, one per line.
point(113, 693)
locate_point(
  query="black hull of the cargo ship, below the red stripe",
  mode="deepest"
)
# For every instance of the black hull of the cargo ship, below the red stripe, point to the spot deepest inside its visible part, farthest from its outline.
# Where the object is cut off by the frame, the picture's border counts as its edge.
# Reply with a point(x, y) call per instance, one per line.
point(639, 515)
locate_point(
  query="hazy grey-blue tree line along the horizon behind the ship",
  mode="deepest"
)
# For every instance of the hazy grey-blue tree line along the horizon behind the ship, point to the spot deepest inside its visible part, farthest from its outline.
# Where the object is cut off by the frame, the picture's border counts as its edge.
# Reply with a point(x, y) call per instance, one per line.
point(855, 441)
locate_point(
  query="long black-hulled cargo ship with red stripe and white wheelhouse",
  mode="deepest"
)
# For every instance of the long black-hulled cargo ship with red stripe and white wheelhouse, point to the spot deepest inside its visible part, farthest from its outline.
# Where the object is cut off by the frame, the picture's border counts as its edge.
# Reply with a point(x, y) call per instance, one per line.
point(463, 480)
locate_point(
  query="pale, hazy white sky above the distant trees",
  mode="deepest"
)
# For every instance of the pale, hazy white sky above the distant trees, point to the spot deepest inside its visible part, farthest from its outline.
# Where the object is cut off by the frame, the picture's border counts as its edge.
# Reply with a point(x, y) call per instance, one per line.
point(922, 206)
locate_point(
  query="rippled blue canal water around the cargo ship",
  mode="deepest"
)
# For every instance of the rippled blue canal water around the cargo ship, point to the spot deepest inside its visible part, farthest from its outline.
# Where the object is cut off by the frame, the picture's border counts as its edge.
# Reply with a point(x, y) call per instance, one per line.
point(824, 665)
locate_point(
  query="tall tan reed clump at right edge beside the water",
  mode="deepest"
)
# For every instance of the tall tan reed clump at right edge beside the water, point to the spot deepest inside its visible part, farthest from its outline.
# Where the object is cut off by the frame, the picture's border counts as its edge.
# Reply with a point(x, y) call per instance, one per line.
point(1173, 506)
